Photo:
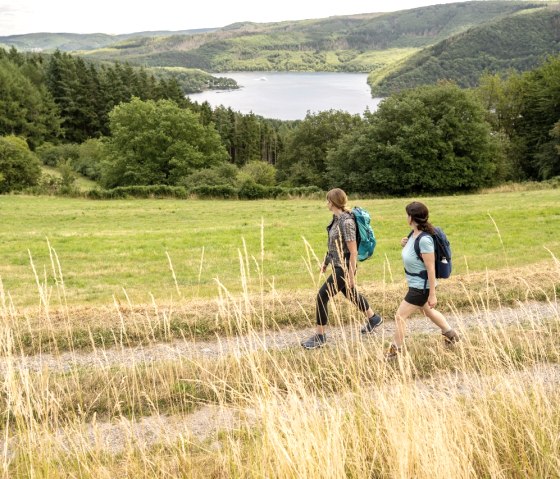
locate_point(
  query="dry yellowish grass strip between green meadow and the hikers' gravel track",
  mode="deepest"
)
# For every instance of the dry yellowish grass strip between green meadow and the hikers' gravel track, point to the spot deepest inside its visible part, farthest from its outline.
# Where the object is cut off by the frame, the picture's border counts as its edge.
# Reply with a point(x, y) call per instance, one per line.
point(55, 327)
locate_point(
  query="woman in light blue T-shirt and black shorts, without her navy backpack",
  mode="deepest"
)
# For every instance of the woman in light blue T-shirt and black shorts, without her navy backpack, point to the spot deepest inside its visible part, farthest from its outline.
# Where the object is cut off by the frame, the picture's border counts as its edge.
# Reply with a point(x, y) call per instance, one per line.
point(421, 278)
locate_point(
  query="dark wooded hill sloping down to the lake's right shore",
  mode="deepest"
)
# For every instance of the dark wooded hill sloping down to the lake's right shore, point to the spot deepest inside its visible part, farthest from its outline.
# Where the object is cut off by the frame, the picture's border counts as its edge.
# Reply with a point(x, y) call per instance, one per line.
point(517, 42)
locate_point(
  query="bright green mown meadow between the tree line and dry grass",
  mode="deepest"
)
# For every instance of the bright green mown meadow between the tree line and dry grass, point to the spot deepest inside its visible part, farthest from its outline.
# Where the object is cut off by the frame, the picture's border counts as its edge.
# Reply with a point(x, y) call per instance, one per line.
point(108, 247)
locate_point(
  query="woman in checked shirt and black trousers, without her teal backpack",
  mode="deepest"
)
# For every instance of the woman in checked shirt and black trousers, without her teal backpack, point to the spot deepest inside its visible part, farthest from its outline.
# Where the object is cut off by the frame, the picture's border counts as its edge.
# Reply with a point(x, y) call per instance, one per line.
point(342, 255)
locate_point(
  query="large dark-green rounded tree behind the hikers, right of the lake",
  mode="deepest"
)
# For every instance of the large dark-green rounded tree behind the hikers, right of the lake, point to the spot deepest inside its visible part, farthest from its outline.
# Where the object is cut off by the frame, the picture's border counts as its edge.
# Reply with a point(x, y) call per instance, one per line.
point(428, 139)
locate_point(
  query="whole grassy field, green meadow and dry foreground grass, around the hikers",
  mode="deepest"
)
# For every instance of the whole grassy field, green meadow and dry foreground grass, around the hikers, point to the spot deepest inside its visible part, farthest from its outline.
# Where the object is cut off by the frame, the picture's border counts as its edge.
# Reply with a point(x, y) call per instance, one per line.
point(487, 408)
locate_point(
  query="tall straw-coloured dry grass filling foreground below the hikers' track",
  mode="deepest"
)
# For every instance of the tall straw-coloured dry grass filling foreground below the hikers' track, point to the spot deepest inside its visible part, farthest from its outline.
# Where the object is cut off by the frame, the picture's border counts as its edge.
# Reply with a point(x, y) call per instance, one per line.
point(487, 408)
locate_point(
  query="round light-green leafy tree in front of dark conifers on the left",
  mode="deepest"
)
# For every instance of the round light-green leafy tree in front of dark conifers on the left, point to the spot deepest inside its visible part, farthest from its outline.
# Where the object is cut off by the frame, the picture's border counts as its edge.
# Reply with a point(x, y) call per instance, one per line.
point(157, 142)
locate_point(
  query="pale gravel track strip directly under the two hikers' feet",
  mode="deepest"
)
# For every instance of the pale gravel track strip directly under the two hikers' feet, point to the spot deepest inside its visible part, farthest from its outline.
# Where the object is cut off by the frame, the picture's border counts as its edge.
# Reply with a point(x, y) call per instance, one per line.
point(279, 339)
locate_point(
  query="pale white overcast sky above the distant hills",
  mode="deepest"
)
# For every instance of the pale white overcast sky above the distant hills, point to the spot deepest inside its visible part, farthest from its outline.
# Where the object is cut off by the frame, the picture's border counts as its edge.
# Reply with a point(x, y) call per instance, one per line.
point(128, 16)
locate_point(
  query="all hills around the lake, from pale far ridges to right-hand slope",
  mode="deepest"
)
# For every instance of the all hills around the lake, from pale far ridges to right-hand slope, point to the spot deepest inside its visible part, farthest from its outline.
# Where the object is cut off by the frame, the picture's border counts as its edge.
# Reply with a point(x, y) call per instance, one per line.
point(456, 41)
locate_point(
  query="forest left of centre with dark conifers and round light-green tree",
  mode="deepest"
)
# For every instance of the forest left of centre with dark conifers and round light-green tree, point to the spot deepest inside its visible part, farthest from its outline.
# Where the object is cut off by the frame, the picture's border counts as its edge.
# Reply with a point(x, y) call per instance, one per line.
point(72, 113)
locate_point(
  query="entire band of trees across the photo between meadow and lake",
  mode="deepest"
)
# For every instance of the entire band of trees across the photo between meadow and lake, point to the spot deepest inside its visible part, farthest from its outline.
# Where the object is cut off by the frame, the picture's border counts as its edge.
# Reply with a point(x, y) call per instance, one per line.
point(124, 128)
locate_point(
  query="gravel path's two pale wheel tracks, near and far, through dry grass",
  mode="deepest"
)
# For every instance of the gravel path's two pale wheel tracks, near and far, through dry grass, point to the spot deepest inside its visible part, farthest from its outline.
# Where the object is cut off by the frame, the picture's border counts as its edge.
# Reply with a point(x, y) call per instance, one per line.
point(203, 425)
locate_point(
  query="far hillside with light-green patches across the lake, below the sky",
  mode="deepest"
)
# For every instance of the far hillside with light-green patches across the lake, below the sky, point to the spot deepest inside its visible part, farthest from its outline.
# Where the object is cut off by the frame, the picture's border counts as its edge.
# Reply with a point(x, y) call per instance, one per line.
point(366, 43)
